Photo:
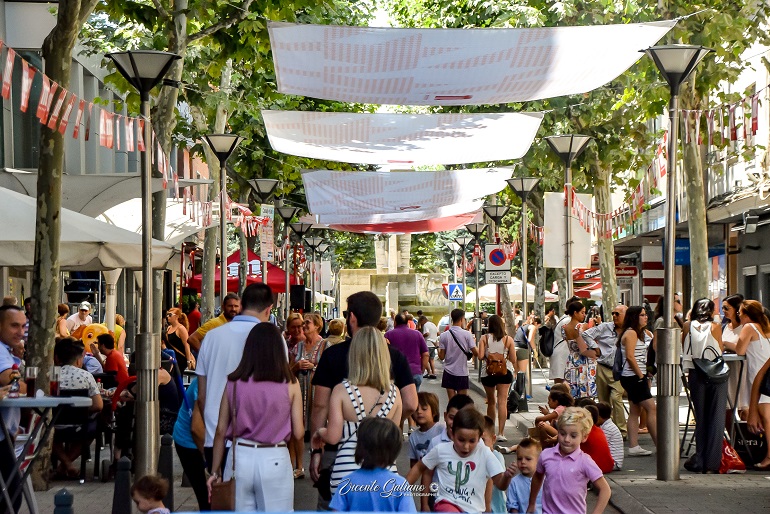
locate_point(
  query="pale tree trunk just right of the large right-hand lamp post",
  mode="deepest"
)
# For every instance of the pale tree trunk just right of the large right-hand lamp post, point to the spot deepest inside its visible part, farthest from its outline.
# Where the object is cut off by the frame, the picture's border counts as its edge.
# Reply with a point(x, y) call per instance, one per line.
point(696, 202)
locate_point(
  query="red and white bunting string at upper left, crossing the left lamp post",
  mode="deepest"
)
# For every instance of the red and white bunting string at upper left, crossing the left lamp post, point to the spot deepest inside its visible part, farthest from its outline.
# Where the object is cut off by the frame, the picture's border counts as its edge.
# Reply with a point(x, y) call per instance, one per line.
point(55, 106)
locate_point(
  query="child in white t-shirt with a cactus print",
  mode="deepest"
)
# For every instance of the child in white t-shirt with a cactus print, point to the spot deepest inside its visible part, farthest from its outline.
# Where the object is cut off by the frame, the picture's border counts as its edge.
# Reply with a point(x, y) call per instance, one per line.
point(463, 466)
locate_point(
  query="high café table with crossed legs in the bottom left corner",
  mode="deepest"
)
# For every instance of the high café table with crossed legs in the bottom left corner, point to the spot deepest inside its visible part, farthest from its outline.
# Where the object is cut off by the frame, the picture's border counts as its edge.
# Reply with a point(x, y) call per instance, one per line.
point(47, 407)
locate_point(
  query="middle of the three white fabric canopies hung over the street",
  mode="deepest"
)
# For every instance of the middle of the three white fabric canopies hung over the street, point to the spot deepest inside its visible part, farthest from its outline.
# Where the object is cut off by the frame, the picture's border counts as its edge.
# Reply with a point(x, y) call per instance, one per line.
point(385, 138)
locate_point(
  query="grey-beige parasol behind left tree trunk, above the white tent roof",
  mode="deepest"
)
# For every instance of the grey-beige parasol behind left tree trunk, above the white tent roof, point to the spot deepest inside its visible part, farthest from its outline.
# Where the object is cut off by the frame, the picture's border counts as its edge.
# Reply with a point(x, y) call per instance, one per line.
point(88, 194)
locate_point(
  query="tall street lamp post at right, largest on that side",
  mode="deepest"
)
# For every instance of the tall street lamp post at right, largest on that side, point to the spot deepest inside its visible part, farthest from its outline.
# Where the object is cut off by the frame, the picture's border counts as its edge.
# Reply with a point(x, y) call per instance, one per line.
point(675, 63)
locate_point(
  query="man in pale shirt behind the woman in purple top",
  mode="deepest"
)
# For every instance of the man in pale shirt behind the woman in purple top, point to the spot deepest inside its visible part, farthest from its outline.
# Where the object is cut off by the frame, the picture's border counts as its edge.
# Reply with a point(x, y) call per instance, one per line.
point(221, 352)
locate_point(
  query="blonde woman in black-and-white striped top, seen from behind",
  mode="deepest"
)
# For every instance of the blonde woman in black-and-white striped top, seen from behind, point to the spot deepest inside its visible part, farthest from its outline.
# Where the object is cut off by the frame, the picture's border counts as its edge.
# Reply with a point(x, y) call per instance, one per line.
point(368, 391)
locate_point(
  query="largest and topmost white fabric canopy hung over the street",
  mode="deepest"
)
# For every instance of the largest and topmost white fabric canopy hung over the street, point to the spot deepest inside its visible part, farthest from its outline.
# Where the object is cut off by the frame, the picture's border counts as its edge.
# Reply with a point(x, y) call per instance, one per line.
point(453, 66)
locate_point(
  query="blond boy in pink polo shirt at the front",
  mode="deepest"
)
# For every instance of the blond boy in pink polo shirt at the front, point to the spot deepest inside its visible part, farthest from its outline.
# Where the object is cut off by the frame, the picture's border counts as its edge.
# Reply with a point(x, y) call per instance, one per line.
point(567, 469)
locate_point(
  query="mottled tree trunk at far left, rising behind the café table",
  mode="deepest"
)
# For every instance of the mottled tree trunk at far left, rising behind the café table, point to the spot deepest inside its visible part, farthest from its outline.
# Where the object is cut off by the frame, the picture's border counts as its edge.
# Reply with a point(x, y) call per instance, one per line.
point(46, 290)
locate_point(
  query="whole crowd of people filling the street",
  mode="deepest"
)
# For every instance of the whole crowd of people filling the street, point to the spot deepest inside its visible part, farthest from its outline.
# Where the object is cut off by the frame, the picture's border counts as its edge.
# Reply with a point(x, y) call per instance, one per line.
point(259, 395)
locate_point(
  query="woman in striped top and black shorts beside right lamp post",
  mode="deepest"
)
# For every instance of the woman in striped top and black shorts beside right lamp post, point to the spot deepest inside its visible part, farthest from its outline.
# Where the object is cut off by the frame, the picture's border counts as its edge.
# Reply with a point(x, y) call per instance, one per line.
point(633, 345)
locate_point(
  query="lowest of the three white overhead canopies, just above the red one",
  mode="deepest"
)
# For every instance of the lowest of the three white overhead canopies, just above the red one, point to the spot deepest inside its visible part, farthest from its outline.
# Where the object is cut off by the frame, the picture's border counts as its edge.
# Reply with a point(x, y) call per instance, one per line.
point(345, 193)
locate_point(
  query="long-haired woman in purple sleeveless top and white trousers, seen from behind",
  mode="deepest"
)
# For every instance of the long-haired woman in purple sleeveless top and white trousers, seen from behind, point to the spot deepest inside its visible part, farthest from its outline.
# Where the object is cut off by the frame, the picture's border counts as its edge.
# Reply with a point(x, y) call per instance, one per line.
point(259, 460)
